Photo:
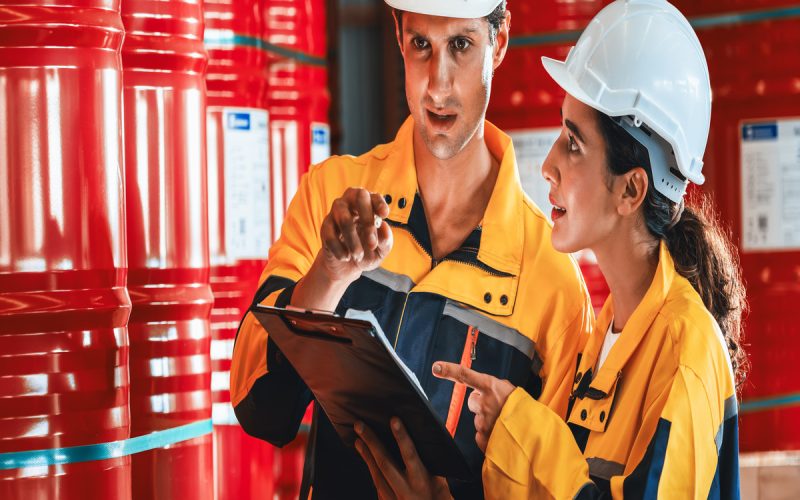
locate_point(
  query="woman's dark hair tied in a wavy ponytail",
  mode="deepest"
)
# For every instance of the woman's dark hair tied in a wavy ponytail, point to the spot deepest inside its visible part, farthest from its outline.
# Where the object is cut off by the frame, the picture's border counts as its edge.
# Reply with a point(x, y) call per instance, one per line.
point(702, 251)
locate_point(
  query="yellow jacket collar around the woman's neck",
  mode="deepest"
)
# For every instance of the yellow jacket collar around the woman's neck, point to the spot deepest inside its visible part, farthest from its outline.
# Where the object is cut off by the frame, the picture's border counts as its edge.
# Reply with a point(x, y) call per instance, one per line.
point(634, 331)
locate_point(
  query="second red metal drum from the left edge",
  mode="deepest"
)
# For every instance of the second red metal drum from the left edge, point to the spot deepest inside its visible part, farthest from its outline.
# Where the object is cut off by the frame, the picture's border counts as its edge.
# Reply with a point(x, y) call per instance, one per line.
point(166, 189)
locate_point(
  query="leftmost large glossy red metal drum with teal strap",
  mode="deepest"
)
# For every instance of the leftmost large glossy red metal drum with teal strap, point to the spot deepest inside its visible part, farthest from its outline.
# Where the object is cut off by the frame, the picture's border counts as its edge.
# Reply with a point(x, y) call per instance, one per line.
point(63, 303)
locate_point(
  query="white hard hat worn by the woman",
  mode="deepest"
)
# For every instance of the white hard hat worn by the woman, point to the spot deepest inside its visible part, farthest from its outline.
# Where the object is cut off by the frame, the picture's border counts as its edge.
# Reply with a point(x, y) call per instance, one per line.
point(640, 60)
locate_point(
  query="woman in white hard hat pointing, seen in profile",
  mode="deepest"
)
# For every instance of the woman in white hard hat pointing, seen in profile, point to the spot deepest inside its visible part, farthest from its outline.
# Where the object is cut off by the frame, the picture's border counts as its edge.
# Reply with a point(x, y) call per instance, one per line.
point(653, 406)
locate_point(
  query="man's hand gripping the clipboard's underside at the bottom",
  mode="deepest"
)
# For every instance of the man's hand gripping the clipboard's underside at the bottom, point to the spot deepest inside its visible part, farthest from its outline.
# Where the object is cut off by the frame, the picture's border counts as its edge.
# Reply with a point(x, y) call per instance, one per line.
point(391, 483)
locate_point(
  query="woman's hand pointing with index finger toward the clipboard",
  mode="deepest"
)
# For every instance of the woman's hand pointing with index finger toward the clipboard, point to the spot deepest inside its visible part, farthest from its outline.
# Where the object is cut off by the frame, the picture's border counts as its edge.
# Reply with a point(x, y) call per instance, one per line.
point(486, 401)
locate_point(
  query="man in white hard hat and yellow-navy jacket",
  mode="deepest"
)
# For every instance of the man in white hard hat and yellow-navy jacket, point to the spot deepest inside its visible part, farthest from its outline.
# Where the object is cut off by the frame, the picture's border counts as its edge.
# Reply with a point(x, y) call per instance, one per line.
point(461, 267)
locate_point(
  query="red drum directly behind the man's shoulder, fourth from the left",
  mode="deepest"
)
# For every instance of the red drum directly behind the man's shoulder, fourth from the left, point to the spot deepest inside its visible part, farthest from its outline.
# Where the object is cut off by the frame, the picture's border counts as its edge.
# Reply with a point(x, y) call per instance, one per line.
point(294, 33)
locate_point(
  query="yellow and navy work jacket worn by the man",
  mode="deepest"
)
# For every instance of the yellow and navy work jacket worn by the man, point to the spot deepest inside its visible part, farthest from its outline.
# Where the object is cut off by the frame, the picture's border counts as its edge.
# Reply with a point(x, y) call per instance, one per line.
point(505, 302)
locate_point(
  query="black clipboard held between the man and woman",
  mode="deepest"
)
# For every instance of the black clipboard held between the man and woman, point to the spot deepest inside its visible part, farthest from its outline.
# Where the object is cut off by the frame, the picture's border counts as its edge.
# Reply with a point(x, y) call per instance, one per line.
point(354, 378)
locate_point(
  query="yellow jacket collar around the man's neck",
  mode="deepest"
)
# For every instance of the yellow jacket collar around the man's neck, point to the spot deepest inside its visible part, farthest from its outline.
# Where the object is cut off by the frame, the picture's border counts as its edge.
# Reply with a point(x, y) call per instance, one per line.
point(502, 237)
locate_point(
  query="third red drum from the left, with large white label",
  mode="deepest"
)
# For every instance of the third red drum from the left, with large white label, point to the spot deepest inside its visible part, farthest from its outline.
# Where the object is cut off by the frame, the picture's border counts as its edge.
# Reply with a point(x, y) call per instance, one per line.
point(239, 223)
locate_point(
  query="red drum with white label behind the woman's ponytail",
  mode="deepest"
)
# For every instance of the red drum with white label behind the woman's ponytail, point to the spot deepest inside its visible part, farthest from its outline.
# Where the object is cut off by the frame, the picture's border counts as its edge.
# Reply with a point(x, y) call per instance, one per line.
point(752, 169)
